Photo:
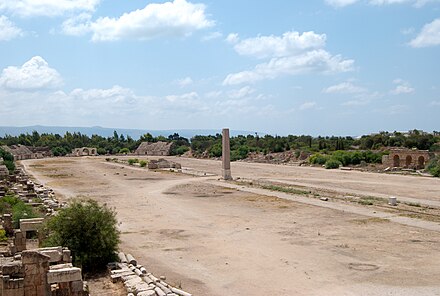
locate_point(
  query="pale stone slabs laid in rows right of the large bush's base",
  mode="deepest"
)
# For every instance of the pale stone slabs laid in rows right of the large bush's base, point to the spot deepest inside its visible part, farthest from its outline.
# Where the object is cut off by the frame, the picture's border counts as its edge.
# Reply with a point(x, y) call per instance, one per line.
point(138, 281)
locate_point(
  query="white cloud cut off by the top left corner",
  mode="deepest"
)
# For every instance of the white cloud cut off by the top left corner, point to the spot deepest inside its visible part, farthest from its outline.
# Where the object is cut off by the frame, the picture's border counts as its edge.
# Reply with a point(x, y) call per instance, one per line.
point(28, 8)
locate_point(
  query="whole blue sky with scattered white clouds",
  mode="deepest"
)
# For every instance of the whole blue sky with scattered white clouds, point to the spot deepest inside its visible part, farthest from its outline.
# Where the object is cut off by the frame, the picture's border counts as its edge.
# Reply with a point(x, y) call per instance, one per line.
point(319, 67)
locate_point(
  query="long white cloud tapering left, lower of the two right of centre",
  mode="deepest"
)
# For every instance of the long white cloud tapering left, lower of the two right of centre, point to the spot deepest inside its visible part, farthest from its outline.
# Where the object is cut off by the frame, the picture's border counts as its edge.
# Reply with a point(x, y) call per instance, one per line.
point(311, 61)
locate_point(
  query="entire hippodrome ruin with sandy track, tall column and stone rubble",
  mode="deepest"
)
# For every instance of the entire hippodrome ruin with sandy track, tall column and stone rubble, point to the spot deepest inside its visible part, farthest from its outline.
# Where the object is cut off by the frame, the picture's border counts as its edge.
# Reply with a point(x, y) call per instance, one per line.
point(208, 227)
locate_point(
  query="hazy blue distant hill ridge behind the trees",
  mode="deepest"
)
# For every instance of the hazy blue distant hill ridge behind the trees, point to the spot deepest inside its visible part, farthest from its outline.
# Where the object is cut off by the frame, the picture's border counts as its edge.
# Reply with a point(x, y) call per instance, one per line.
point(108, 132)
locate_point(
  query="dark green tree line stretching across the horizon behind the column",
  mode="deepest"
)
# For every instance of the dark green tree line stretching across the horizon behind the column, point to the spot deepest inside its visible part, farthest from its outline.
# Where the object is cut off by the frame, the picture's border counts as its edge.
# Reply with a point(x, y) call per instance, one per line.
point(241, 146)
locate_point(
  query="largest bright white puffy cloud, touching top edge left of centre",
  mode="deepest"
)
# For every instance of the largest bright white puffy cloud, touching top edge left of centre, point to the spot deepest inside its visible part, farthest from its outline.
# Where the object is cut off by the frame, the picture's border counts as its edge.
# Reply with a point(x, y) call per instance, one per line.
point(177, 18)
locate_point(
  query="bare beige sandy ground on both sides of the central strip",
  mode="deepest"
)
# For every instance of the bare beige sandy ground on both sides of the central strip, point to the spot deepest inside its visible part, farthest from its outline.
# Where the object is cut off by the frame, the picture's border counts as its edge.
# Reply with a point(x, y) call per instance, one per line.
point(216, 240)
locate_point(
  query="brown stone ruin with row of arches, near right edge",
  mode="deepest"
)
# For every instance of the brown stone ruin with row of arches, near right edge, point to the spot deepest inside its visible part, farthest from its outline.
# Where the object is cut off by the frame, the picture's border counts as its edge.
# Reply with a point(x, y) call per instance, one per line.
point(406, 158)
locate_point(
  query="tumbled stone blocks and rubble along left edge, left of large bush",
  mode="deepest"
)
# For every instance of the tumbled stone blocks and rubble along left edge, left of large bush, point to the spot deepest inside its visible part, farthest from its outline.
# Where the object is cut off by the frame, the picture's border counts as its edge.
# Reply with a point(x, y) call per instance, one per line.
point(35, 272)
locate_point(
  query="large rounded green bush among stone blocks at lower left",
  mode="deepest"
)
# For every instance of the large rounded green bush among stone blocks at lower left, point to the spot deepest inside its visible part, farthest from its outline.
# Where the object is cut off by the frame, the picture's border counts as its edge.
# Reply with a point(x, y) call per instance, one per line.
point(88, 230)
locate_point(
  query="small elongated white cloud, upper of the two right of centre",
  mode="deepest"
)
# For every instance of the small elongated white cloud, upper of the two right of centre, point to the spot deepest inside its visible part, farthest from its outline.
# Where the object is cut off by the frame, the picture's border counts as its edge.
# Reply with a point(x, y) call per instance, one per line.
point(288, 44)
